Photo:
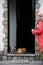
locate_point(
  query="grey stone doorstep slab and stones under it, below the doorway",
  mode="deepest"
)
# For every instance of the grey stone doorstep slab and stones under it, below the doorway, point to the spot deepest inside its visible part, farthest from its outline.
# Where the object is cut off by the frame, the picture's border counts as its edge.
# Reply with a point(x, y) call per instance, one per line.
point(22, 56)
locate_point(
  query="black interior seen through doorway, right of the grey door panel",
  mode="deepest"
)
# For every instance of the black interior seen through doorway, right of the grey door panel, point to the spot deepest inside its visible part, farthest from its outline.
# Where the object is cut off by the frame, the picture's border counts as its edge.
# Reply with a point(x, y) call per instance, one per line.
point(25, 21)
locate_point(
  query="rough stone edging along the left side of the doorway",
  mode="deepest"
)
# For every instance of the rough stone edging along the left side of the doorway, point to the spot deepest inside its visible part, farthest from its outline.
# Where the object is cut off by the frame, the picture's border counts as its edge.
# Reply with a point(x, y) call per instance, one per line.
point(5, 30)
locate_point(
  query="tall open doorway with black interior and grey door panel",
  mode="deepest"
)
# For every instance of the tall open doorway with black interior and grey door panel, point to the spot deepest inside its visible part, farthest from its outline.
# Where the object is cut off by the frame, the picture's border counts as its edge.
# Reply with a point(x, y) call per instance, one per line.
point(21, 21)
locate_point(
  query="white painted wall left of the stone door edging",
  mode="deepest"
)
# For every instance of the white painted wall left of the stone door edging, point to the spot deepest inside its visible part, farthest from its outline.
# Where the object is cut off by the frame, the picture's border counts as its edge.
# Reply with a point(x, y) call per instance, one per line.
point(1, 27)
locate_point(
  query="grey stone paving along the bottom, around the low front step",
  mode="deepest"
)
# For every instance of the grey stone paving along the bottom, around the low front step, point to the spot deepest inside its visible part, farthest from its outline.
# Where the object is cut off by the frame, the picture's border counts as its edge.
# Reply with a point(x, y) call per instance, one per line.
point(30, 63)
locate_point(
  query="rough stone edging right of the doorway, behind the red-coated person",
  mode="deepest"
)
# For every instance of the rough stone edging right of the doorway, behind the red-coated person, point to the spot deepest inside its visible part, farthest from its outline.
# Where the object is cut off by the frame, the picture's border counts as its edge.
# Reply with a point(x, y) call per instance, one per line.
point(37, 10)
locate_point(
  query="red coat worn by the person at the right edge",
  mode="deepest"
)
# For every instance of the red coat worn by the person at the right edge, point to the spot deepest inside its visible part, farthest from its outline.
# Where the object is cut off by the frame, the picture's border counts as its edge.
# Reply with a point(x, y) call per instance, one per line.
point(39, 33)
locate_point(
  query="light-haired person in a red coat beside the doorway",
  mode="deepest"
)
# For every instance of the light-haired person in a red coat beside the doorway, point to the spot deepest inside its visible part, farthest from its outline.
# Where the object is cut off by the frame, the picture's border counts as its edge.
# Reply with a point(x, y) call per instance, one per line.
point(39, 32)
